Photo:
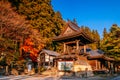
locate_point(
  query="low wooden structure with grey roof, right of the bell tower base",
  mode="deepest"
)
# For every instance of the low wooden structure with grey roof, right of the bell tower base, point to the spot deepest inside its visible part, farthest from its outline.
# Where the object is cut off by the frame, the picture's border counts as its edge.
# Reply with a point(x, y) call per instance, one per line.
point(102, 61)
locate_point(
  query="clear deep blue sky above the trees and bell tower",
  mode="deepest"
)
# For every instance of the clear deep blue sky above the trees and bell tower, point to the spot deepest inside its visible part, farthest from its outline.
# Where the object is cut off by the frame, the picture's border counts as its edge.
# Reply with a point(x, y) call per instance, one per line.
point(96, 14)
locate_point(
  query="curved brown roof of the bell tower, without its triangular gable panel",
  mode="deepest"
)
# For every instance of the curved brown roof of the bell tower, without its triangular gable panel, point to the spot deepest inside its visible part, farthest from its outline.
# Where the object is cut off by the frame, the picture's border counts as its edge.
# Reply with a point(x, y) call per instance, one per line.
point(77, 32)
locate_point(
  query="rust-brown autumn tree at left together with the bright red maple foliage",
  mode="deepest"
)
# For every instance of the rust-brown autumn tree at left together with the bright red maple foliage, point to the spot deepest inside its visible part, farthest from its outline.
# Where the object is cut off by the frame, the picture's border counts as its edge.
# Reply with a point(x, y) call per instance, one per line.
point(14, 30)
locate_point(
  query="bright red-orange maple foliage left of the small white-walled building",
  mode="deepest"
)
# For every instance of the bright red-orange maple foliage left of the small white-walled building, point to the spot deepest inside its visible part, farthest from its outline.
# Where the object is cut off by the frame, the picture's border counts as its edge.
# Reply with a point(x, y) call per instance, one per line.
point(28, 48)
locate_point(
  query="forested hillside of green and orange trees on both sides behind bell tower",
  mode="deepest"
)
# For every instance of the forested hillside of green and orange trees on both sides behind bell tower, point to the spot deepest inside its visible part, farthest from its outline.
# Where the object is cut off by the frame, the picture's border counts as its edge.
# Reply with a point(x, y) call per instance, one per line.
point(28, 26)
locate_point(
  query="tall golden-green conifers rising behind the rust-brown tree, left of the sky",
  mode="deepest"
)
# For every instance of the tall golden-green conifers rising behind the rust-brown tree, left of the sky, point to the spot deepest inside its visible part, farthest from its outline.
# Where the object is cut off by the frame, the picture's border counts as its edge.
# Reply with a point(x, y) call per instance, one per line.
point(41, 17)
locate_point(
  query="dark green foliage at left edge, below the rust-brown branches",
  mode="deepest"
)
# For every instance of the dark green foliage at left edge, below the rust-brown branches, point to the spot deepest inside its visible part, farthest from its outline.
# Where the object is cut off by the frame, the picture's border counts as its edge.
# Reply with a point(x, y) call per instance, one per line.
point(9, 51)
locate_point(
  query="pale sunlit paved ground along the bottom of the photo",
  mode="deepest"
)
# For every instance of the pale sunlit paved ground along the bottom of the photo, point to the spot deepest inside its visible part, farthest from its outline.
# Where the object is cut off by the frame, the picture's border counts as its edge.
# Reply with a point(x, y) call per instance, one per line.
point(42, 77)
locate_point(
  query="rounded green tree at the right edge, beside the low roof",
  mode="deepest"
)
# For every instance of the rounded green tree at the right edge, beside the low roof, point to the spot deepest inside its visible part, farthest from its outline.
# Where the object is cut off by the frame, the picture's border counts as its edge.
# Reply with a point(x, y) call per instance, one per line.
point(111, 42)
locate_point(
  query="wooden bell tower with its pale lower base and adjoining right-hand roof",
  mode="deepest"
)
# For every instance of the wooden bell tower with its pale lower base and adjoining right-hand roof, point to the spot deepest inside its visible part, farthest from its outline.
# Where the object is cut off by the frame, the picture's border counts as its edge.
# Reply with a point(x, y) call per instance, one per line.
point(75, 56)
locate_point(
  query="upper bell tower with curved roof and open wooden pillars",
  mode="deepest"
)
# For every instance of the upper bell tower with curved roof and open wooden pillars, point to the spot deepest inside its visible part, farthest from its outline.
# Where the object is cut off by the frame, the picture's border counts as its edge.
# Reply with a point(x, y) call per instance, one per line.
point(73, 39)
